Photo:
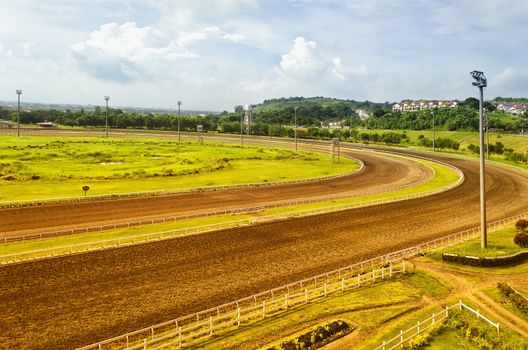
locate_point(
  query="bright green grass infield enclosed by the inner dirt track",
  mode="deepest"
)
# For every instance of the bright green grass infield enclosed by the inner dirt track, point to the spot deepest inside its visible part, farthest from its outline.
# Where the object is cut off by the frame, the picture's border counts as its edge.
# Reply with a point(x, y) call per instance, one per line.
point(52, 167)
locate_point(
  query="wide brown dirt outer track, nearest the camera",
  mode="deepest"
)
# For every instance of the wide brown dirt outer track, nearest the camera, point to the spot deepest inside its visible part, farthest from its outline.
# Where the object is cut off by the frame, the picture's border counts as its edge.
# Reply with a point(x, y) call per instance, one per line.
point(73, 301)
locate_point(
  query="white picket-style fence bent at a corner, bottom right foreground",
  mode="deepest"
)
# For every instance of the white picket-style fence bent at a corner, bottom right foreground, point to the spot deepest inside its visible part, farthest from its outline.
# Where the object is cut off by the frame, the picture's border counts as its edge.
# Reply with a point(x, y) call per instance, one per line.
point(422, 326)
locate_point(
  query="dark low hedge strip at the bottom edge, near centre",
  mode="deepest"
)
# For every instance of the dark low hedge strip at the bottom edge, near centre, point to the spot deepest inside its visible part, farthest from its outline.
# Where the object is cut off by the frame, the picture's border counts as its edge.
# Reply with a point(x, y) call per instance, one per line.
point(316, 337)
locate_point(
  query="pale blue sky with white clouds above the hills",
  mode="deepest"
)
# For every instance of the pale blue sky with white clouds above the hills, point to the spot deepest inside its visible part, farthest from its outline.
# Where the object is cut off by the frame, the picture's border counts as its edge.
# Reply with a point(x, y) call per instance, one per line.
point(216, 54)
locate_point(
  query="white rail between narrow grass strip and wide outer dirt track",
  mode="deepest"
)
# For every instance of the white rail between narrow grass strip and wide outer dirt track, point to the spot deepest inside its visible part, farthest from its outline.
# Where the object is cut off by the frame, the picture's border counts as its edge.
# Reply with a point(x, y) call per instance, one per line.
point(168, 234)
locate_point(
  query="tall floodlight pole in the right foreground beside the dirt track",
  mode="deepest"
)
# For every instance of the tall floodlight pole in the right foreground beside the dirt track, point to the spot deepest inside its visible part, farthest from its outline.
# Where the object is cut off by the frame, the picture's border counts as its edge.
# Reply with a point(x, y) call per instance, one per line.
point(481, 82)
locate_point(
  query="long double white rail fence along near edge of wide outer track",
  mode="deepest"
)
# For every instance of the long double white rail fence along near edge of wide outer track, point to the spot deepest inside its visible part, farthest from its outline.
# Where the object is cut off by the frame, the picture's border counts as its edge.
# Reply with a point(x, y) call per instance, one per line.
point(202, 325)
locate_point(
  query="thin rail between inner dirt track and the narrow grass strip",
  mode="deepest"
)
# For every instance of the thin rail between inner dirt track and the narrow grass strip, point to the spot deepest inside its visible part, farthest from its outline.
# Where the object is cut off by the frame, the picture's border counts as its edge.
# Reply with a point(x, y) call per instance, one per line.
point(231, 211)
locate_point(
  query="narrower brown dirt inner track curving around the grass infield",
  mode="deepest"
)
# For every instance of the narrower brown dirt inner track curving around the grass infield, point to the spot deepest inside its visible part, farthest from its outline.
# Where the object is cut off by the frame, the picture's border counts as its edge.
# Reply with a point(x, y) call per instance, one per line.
point(379, 173)
